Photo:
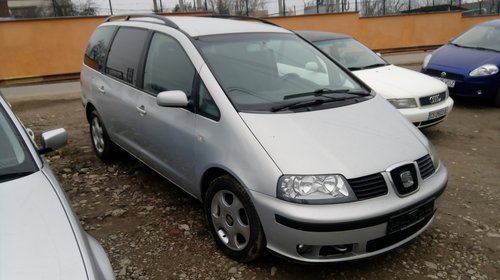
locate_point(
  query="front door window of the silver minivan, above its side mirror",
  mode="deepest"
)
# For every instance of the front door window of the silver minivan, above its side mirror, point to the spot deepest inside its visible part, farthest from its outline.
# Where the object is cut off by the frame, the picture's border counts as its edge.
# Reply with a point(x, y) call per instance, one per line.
point(167, 66)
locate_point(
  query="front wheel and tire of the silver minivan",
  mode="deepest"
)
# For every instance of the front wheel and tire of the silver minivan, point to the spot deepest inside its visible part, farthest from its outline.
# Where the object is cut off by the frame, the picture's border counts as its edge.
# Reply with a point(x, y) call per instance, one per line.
point(233, 220)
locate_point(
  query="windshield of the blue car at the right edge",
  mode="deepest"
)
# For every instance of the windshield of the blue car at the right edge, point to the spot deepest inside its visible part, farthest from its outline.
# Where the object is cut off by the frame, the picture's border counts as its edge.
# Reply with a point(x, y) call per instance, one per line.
point(480, 37)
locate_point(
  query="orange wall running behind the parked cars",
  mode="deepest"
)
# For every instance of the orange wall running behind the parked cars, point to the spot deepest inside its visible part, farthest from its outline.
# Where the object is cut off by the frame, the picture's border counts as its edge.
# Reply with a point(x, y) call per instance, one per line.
point(31, 49)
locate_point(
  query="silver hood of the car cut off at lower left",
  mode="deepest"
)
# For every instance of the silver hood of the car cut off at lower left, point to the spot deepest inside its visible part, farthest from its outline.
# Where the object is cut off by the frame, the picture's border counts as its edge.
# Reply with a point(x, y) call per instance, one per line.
point(36, 238)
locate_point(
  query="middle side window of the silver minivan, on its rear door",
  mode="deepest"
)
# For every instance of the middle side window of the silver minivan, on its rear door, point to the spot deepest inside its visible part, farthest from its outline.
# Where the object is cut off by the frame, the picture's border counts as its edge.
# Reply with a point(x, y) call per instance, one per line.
point(125, 54)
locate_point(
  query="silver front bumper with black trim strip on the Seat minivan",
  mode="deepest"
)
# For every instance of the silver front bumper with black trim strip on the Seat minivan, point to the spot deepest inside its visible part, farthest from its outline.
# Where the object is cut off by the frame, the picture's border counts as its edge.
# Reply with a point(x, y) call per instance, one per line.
point(347, 231)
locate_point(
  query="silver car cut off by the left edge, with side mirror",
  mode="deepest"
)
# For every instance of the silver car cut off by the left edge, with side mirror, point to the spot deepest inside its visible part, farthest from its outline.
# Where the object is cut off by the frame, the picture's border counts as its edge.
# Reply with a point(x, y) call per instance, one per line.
point(40, 236)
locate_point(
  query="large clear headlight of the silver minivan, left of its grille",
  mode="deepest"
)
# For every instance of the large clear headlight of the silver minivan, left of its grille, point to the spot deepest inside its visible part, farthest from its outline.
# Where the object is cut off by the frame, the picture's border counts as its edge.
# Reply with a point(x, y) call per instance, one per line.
point(316, 189)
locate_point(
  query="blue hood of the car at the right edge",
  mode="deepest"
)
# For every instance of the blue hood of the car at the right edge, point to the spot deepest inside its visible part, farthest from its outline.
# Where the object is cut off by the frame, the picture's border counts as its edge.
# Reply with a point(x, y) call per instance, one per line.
point(461, 60)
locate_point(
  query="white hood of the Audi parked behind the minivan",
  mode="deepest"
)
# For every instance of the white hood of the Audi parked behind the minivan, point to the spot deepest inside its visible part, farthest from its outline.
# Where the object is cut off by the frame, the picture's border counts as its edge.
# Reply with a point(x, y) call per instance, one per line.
point(395, 82)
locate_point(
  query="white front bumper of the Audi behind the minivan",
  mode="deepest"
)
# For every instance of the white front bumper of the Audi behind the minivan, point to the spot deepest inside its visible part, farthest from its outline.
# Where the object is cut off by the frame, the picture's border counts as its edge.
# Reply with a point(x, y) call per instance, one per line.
point(422, 116)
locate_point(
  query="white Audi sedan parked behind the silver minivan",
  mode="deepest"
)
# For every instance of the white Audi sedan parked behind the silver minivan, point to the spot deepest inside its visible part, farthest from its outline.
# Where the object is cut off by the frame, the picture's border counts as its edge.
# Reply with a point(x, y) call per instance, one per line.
point(423, 100)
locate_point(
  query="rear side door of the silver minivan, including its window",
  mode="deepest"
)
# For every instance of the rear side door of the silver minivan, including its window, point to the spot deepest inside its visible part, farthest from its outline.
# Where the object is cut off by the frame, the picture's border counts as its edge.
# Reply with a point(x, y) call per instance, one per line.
point(118, 89)
